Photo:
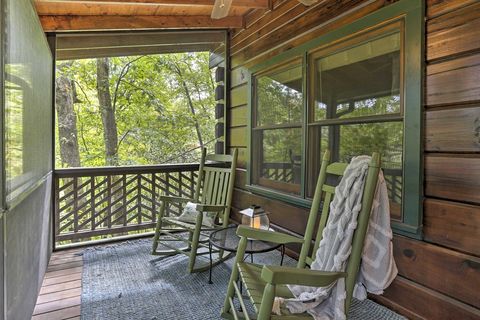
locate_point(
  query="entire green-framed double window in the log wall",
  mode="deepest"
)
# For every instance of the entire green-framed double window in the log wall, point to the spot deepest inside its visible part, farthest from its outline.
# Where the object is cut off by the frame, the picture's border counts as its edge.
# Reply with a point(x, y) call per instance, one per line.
point(356, 90)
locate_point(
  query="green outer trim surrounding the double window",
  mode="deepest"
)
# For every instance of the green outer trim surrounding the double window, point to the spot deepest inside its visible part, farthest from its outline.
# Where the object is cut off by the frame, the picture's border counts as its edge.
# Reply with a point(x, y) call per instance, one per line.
point(411, 12)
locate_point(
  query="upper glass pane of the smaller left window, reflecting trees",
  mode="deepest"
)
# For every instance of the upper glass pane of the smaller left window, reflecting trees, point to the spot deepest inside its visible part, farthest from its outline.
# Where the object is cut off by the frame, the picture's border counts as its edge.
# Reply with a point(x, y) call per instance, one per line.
point(279, 97)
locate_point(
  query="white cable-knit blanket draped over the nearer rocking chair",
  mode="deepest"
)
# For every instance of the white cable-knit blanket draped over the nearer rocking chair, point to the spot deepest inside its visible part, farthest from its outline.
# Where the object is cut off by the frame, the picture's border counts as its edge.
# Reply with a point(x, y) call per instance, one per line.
point(378, 268)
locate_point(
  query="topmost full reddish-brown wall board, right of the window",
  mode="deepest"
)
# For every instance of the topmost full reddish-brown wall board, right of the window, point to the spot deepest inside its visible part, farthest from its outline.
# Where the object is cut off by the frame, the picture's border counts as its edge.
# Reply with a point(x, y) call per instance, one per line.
point(443, 33)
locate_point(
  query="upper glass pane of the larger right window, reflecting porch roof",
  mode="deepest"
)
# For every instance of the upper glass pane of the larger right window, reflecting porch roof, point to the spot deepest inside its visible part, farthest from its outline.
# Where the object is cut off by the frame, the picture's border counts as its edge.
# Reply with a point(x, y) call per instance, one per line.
point(360, 81)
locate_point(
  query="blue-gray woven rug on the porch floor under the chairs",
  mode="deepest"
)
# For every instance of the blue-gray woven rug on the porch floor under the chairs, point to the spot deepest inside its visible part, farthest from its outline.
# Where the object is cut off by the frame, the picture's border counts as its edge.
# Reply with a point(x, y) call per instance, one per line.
point(124, 282)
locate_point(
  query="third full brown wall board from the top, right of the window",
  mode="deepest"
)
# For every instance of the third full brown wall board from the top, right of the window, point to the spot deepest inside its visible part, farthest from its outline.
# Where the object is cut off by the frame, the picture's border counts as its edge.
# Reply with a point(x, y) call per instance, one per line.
point(453, 130)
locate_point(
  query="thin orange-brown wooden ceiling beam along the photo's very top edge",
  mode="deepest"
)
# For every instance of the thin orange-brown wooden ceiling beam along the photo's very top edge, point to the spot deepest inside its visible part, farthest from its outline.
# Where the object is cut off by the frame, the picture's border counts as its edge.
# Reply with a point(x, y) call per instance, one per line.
point(254, 4)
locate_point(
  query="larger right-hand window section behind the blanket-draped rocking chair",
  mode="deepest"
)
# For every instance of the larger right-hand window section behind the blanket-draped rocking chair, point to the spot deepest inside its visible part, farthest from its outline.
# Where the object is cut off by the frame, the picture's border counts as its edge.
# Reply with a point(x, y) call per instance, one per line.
point(356, 106)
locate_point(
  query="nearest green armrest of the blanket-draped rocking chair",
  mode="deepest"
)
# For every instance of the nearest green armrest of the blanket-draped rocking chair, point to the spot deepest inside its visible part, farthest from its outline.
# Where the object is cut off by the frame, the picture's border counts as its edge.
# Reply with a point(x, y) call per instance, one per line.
point(297, 276)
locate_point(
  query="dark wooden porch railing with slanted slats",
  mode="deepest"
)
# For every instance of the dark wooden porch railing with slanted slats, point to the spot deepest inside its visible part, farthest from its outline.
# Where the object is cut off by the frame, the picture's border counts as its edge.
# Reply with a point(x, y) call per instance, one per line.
point(95, 203)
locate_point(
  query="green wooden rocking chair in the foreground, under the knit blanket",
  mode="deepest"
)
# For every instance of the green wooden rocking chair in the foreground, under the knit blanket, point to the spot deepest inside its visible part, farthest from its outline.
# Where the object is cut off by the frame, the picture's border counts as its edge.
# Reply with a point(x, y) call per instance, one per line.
point(263, 283)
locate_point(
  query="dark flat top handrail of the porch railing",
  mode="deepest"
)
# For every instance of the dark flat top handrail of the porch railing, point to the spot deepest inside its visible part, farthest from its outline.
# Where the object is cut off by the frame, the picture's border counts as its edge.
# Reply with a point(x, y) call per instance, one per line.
point(97, 171)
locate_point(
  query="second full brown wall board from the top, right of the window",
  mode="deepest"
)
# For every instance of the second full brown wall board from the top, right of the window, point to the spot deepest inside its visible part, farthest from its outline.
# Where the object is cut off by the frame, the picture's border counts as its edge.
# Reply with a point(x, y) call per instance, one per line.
point(453, 82)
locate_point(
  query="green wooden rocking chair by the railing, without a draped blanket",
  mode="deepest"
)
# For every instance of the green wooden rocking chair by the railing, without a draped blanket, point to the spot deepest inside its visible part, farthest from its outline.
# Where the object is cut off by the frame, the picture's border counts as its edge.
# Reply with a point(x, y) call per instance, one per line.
point(213, 195)
